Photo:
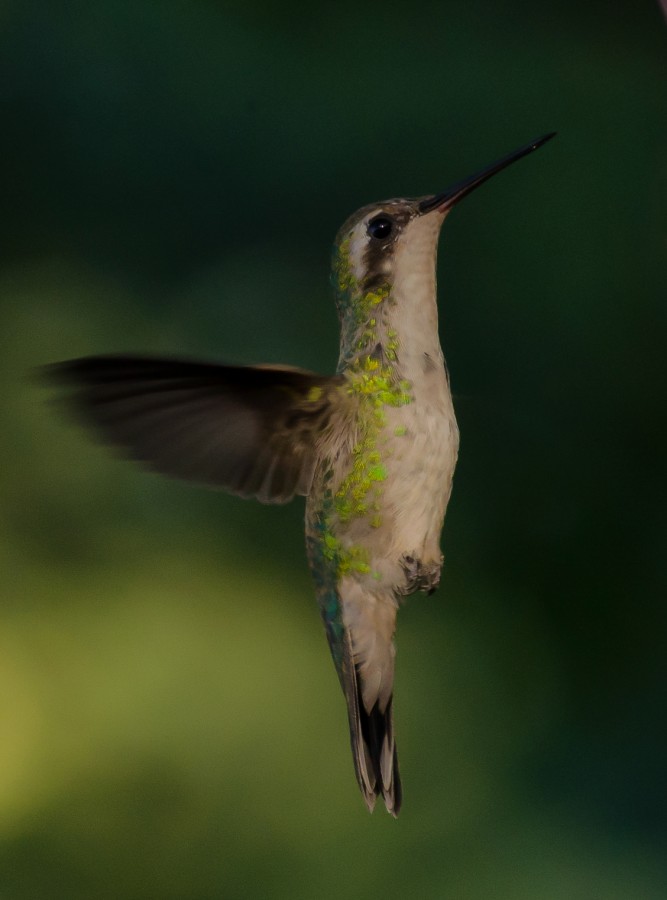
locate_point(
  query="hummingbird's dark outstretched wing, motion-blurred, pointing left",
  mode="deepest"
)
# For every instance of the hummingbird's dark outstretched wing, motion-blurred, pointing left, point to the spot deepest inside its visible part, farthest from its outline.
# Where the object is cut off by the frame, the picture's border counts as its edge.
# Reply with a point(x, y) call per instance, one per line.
point(250, 430)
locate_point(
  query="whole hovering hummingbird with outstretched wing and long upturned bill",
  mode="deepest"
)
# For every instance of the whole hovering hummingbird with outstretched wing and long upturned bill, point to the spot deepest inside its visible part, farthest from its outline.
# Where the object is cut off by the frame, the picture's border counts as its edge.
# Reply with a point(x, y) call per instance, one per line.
point(372, 447)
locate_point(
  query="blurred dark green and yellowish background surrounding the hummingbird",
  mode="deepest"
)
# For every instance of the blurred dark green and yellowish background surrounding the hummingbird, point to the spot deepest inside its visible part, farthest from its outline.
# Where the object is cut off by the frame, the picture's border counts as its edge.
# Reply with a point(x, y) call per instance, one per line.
point(173, 175)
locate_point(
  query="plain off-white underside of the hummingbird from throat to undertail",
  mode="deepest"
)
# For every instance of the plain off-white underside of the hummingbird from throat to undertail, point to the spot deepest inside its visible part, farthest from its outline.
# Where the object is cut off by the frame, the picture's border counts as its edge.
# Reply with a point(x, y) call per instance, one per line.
point(420, 460)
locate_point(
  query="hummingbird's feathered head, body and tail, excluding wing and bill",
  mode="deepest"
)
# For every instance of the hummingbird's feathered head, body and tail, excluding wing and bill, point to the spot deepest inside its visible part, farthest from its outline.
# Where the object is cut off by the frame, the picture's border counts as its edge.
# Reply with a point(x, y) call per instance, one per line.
point(383, 478)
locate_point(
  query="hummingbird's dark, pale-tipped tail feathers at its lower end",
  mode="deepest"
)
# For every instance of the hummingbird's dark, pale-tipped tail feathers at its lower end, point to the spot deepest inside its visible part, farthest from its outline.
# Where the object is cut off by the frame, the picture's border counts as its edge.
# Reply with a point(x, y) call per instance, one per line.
point(373, 748)
